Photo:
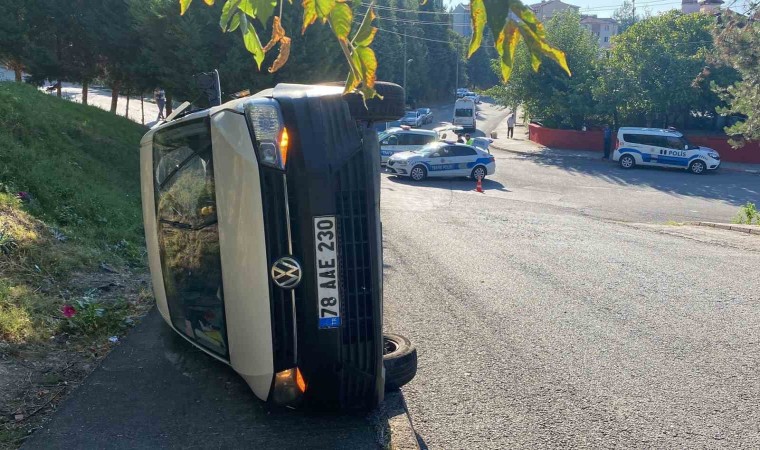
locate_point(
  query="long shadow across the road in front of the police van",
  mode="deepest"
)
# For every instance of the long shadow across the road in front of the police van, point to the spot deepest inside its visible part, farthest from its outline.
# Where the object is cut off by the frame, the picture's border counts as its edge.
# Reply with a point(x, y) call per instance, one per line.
point(732, 187)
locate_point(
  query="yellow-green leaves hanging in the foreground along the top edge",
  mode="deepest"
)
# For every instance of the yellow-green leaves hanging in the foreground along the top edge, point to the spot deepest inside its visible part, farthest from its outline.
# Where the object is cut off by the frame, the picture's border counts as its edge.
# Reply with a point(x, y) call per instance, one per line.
point(509, 21)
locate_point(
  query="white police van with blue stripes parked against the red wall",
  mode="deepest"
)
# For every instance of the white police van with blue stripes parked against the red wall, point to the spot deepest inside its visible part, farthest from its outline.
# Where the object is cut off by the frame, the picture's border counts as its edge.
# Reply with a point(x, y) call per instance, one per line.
point(664, 148)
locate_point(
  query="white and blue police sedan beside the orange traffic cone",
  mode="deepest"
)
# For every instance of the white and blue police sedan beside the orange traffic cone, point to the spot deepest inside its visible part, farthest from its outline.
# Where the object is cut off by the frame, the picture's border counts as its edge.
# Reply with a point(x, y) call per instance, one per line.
point(442, 159)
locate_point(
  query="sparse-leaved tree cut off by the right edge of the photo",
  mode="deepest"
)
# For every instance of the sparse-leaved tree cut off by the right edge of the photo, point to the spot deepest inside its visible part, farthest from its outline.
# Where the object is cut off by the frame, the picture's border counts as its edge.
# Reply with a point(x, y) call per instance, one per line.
point(737, 41)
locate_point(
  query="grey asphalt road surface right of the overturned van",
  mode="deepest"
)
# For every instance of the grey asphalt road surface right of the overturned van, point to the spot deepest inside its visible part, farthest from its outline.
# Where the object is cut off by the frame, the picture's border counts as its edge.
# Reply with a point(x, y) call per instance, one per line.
point(545, 315)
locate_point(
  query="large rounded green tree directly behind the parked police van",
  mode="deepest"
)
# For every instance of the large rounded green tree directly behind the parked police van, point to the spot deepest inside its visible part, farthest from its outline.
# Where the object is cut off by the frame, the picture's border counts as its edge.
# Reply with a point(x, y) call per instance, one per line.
point(647, 78)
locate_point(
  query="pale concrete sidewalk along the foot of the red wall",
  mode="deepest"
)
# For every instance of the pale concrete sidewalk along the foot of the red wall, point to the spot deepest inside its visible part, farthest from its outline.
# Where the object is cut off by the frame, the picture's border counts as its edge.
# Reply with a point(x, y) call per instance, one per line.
point(520, 144)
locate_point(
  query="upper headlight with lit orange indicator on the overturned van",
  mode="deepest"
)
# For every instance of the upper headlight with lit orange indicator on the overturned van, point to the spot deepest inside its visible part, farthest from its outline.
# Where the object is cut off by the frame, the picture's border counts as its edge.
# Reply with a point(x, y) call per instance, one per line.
point(270, 136)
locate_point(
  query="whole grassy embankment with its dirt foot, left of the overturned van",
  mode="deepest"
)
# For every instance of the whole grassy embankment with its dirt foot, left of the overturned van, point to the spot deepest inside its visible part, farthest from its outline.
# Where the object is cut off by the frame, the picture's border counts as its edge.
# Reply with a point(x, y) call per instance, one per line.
point(70, 236)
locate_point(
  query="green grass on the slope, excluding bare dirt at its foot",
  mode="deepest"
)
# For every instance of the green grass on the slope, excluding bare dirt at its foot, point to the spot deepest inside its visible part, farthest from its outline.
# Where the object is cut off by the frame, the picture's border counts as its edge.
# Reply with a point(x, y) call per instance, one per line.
point(79, 168)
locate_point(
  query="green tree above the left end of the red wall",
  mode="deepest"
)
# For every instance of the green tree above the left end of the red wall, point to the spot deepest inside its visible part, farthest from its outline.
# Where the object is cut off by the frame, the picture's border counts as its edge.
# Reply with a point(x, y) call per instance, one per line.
point(550, 95)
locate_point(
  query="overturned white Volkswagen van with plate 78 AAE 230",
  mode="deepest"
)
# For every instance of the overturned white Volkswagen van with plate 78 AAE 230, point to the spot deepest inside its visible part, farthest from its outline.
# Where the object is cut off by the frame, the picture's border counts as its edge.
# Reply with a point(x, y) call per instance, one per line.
point(262, 225)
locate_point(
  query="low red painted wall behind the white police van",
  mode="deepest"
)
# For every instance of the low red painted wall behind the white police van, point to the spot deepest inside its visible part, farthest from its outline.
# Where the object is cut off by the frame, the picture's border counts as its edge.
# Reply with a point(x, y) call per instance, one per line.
point(594, 140)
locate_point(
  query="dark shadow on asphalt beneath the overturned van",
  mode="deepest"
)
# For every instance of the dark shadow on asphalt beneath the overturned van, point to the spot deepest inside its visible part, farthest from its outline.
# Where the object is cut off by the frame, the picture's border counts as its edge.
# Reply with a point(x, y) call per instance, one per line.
point(155, 390)
